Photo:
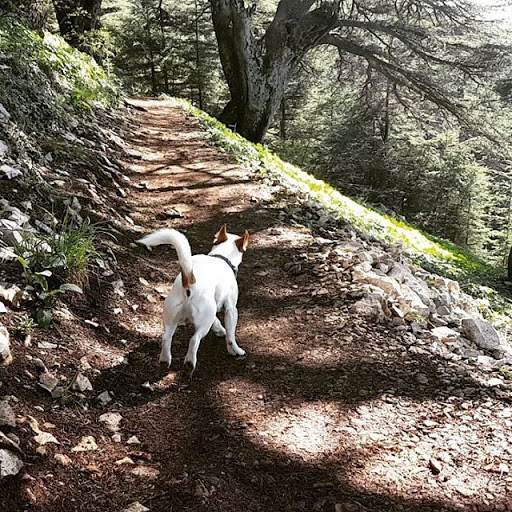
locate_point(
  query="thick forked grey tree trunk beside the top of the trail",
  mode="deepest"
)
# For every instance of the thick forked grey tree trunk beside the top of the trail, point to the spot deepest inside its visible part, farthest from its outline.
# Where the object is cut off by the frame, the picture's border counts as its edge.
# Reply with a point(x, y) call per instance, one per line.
point(258, 70)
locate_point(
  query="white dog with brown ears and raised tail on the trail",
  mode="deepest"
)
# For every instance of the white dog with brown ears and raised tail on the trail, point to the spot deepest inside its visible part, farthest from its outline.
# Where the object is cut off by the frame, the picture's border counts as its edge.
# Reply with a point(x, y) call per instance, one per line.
point(206, 285)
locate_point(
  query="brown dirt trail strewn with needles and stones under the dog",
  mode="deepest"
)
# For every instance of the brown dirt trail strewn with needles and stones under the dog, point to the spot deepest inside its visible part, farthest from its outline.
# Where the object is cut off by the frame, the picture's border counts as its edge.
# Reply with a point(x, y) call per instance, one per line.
point(326, 412)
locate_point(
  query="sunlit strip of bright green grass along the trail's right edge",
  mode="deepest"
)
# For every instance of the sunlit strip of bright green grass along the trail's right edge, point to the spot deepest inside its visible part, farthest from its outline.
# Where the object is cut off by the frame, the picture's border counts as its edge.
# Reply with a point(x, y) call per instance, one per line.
point(436, 254)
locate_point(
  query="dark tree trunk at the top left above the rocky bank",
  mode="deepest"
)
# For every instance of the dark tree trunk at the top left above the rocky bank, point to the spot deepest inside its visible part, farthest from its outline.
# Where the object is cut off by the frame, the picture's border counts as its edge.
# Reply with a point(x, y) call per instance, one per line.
point(75, 17)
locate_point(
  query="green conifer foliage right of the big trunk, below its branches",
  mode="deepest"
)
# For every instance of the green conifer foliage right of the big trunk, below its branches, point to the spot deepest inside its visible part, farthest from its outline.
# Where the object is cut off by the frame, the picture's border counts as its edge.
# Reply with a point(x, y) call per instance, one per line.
point(414, 164)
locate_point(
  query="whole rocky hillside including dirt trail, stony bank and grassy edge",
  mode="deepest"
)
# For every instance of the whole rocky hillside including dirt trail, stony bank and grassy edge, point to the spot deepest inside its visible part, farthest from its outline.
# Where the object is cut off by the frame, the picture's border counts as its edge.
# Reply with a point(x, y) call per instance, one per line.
point(370, 383)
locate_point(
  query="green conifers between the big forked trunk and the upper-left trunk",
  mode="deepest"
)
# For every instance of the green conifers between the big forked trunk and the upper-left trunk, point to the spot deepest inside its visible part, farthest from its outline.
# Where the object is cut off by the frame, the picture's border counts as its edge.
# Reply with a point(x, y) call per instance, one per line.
point(169, 47)
